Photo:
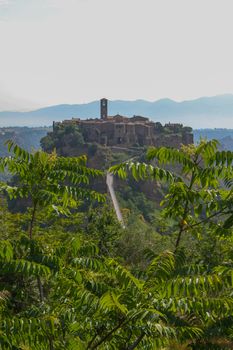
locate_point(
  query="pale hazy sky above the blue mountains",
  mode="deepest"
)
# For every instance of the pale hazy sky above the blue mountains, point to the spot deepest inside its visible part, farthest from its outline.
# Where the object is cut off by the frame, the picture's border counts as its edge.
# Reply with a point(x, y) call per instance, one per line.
point(74, 51)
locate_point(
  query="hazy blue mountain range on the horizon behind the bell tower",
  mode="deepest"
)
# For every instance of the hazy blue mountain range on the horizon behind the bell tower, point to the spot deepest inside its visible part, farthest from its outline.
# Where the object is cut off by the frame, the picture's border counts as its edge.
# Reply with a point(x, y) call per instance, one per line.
point(204, 112)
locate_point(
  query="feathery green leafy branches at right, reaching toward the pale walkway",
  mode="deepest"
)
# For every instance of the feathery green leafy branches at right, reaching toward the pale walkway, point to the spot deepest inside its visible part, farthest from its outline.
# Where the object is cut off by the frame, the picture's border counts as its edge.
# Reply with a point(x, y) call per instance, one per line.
point(196, 195)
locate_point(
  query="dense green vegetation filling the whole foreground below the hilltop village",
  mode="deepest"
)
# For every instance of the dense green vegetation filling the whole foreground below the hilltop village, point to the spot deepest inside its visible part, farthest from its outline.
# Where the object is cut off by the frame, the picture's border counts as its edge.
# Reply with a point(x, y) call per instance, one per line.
point(72, 278)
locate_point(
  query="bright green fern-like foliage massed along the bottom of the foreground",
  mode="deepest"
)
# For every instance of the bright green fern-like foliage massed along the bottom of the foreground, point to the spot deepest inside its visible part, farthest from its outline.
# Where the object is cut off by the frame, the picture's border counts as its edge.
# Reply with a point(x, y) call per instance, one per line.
point(99, 303)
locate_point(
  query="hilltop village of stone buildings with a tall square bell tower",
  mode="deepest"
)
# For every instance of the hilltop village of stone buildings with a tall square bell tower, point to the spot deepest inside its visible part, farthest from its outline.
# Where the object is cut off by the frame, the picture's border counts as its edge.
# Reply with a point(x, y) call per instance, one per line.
point(122, 131)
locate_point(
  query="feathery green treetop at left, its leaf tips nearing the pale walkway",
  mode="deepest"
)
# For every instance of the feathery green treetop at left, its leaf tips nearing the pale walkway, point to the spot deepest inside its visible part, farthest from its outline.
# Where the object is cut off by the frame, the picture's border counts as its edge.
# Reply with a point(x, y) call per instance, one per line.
point(47, 180)
